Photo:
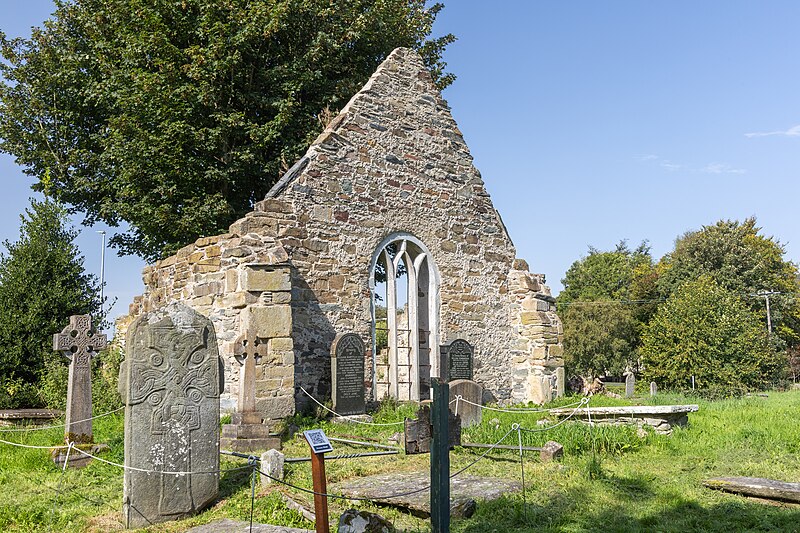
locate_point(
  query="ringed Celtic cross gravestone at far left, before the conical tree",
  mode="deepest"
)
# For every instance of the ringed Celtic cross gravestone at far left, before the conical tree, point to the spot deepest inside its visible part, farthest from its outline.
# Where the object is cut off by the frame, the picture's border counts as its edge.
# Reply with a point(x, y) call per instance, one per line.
point(79, 343)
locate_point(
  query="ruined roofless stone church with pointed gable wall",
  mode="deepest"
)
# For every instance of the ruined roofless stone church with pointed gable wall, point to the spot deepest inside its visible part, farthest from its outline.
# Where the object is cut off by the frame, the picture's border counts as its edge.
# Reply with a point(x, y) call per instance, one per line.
point(384, 229)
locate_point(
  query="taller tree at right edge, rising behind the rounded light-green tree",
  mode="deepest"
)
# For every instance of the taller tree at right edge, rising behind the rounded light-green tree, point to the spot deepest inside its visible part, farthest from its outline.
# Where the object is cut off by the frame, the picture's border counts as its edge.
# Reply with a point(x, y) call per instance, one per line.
point(743, 261)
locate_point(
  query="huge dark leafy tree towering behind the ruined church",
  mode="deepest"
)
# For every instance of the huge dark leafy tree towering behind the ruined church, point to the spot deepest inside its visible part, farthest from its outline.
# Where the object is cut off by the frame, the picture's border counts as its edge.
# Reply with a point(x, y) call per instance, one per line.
point(176, 116)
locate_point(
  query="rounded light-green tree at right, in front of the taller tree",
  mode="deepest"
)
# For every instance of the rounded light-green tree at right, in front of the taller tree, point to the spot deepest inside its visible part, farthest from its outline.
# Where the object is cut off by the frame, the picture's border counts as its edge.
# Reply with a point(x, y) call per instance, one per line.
point(708, 331)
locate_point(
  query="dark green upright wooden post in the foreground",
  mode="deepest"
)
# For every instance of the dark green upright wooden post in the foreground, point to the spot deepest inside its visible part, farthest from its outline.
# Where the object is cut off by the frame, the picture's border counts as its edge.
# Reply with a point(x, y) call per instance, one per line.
point(440, 458)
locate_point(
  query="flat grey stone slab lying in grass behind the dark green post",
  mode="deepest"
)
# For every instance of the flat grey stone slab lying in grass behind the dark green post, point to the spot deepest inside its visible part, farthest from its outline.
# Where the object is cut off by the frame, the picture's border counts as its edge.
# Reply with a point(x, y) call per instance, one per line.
point(464, 490)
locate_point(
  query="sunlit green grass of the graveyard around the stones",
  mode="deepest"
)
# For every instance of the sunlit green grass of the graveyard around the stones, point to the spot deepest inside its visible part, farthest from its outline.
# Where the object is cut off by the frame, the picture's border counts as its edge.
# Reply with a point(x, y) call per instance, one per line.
point(629, 482)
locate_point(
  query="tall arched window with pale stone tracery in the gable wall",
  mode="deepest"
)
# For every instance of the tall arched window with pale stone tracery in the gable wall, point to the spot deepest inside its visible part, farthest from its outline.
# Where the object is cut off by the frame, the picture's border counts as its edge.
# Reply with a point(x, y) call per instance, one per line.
point(404, 289)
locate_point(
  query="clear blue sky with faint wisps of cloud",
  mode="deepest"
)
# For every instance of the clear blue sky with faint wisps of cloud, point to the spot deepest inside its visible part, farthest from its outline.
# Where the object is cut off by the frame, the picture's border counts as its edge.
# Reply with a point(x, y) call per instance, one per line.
point(592, 122)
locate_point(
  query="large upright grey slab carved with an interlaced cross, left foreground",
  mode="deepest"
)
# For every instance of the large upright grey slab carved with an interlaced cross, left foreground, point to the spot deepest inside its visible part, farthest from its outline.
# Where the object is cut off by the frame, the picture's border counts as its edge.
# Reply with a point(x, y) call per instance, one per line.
point(170, 382)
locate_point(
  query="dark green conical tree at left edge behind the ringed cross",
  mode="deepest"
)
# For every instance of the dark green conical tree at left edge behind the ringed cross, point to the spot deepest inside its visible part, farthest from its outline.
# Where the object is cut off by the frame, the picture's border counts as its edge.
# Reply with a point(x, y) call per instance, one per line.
point(42, 283)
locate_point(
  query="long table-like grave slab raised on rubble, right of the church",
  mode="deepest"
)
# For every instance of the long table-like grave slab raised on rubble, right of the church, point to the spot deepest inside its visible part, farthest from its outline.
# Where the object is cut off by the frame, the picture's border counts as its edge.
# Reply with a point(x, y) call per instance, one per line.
point(661, 417)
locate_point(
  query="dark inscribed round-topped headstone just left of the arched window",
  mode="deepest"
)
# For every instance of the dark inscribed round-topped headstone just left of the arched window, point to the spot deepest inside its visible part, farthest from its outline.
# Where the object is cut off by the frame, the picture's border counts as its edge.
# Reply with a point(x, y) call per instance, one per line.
point(347, 373)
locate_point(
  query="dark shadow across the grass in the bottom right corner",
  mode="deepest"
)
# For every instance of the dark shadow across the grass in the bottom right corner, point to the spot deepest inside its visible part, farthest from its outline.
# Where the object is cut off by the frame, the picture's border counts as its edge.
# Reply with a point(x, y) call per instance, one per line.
point(575, 510)
